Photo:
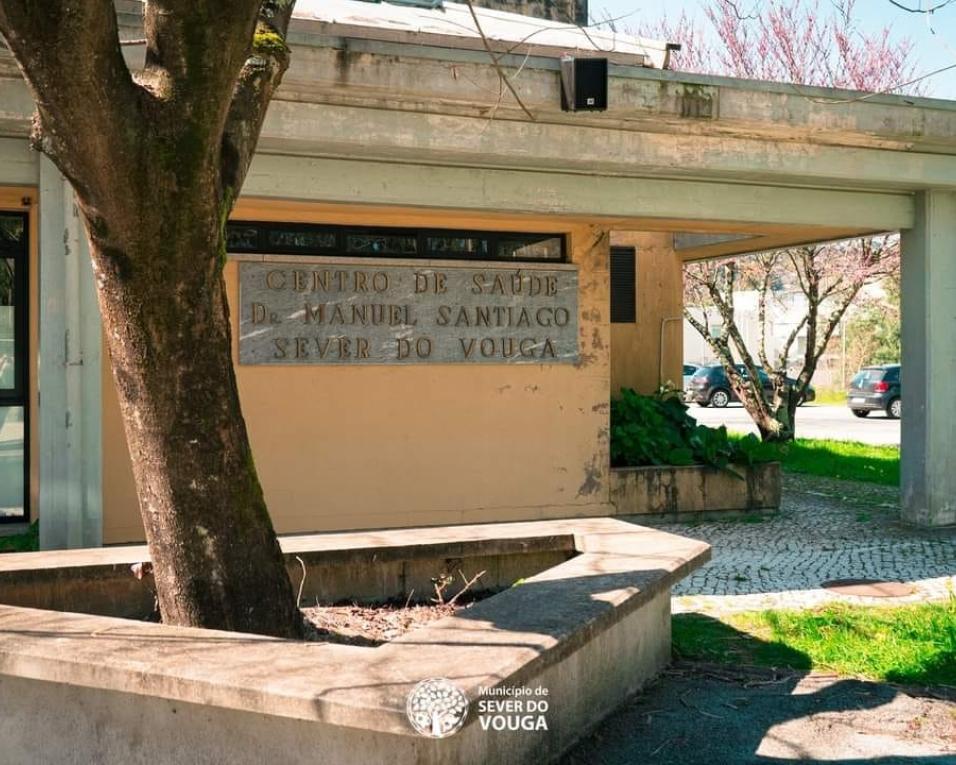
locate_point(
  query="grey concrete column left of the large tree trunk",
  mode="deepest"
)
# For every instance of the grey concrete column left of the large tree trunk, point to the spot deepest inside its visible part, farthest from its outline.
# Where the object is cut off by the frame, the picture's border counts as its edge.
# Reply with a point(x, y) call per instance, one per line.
point(71, 506)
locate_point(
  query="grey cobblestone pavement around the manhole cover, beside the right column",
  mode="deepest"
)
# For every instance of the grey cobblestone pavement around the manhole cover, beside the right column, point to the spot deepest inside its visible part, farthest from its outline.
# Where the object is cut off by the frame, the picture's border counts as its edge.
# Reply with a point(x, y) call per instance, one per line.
point(826, 529)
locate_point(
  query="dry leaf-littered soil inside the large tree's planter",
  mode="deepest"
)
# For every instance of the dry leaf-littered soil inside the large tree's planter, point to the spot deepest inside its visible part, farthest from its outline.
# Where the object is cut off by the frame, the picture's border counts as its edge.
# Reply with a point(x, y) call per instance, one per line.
point(373, 625)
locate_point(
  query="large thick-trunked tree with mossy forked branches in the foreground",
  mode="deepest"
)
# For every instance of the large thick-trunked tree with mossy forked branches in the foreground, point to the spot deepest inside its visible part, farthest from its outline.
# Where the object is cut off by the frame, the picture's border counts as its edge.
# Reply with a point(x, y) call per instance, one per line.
point(157, 158)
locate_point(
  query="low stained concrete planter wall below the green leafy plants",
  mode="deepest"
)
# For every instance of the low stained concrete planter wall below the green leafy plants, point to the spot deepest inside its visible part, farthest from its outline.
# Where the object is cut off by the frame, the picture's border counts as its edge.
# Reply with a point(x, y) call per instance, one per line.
point(695, 492)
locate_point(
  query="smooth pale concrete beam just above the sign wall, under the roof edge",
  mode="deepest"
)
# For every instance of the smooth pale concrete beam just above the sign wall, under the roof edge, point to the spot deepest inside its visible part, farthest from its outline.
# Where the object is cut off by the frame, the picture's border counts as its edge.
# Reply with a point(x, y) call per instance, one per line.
point(621, 202)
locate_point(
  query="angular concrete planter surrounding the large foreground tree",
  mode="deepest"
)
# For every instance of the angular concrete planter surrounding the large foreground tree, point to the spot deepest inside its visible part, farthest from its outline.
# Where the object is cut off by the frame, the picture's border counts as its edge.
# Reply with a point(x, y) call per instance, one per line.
point(593, 628)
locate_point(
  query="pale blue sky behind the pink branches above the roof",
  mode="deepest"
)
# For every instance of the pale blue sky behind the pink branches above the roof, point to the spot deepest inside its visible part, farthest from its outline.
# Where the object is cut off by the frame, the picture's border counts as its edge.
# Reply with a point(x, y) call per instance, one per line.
point(931, 52)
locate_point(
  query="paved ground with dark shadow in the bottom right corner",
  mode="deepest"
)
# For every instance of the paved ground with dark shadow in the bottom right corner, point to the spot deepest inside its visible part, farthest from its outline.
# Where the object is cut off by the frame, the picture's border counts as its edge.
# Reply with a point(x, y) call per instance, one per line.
point(703, 715)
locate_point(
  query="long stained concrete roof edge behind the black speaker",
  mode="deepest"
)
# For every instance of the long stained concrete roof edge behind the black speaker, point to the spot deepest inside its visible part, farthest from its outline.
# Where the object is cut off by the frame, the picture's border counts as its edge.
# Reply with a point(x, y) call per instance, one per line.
point(431, 105)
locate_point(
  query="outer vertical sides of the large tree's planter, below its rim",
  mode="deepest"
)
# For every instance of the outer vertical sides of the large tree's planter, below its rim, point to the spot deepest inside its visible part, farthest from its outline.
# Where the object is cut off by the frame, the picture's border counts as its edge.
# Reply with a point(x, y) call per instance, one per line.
point(84, 725)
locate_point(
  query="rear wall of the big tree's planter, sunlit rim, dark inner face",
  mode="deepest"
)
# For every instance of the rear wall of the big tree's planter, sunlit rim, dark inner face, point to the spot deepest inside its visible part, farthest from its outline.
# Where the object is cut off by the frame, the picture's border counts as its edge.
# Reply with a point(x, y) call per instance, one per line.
point(354, 566)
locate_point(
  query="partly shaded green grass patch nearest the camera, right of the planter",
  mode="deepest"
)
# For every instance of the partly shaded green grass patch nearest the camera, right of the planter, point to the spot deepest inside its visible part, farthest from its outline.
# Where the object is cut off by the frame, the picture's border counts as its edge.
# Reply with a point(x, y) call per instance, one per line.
point(911, 644)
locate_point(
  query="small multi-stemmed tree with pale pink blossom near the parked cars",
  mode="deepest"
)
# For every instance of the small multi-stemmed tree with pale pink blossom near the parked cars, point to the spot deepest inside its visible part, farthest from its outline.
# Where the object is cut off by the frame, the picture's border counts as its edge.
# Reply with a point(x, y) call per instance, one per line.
point(829, 277)
